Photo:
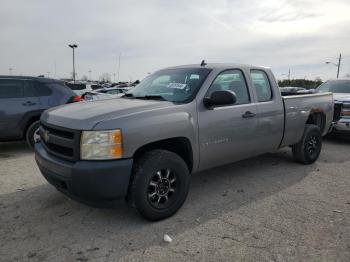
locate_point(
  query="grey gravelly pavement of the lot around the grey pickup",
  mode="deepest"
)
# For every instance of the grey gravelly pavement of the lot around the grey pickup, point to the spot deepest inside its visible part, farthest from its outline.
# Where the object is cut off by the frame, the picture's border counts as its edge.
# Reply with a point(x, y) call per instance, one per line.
point(263, 209)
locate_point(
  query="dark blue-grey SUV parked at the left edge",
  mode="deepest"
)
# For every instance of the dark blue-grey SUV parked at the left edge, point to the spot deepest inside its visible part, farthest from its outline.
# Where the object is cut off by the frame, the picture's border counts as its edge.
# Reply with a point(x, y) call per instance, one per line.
point(22, 101)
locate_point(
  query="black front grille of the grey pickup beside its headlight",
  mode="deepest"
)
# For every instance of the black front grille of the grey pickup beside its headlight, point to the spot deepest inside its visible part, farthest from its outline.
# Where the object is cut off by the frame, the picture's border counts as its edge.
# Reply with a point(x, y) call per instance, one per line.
point(61, 142)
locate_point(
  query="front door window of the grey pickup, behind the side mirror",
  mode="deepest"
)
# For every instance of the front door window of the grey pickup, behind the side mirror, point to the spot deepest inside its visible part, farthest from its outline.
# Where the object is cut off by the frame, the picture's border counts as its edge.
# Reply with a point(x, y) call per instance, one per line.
point(232, 80)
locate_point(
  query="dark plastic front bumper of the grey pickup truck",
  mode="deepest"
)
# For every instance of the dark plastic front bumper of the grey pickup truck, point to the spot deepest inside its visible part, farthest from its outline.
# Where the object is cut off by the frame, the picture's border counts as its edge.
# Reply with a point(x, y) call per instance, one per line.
point(87, 181)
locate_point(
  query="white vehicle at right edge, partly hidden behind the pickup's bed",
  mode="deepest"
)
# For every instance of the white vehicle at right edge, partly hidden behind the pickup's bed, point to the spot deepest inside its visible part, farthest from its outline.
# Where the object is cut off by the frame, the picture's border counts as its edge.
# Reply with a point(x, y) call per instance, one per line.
point(341, 94)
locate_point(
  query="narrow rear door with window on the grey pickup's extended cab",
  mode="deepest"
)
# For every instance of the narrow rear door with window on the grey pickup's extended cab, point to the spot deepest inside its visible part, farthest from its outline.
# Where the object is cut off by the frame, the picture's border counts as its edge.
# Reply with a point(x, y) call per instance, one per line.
point(270, 111)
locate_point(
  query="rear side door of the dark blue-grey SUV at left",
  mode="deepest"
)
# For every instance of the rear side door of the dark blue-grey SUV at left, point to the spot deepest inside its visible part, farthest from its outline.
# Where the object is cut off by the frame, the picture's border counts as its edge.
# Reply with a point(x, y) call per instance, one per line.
point(17, 98)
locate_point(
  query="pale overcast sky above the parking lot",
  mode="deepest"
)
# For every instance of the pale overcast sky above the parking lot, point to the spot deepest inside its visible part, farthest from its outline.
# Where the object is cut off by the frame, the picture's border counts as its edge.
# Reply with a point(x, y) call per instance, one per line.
point(149, 35)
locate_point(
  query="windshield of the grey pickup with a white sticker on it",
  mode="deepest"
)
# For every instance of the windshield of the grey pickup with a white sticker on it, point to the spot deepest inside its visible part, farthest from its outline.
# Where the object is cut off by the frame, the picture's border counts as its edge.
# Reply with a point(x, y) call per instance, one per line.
point(175, 85)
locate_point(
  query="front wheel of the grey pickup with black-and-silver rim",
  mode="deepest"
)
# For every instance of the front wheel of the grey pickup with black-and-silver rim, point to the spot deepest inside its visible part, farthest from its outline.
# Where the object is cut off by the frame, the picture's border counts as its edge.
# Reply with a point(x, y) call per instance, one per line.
point(160, 184)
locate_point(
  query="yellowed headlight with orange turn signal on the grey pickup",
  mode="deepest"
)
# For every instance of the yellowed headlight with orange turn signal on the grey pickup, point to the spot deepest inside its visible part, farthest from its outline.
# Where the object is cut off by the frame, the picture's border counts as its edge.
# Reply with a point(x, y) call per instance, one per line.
point(101, 145)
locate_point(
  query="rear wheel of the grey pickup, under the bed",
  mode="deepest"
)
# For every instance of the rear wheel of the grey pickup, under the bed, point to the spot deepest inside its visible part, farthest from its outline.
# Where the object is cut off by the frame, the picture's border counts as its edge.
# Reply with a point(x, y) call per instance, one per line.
point(309, 148)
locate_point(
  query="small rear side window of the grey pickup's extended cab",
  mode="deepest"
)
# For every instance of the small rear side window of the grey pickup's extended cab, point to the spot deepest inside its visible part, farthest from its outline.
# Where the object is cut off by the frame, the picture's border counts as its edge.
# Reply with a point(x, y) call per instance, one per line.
point(262, 85)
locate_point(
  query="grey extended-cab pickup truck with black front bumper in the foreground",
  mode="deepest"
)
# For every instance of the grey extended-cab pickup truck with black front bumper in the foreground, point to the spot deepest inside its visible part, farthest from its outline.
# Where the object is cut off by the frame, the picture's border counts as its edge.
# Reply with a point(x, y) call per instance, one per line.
point(180, 120)
